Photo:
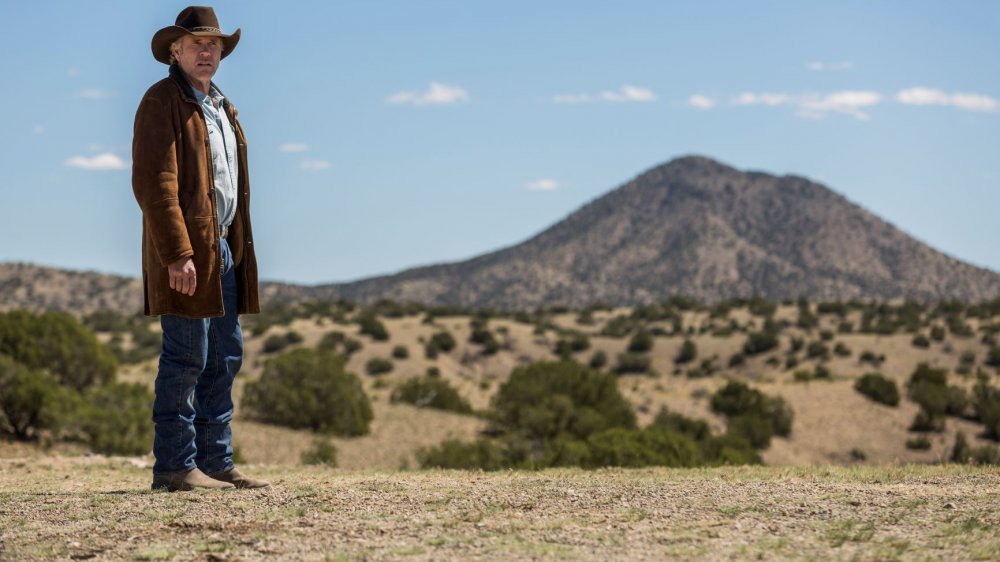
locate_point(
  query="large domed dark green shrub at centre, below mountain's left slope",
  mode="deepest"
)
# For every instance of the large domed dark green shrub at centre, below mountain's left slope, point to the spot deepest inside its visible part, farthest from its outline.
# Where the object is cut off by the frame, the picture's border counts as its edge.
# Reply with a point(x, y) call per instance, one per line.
point(543, 400)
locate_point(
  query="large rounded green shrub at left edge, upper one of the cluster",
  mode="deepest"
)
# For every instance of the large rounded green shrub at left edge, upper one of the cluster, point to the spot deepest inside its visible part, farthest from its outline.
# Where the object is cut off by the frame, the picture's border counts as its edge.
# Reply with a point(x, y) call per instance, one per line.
point(58, 343)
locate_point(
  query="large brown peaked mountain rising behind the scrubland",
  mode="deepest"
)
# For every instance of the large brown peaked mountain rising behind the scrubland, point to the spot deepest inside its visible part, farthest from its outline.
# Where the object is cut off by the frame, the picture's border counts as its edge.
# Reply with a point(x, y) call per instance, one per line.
point(698, 228)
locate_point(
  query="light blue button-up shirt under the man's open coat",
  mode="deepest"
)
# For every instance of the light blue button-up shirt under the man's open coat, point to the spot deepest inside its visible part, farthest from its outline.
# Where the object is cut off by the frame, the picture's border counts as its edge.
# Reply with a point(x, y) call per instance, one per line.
point(222, 139)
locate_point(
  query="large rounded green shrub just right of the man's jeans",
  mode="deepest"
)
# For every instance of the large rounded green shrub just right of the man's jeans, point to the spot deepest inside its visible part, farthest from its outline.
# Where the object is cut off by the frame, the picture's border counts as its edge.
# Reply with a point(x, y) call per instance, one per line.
point(309, 389)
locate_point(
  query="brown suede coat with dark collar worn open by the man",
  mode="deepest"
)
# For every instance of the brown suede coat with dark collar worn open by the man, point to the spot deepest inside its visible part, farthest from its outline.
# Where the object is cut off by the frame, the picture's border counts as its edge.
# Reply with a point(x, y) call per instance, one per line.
point(172, 179)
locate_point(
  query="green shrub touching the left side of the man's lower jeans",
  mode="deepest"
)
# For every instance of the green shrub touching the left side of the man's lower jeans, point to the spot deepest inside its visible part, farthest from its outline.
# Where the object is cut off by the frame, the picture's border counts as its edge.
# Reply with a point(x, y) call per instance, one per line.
point(115, 420)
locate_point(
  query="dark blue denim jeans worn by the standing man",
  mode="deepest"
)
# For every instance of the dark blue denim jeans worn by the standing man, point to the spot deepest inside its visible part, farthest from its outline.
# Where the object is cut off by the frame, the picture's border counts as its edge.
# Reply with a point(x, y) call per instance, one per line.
point(194, 403)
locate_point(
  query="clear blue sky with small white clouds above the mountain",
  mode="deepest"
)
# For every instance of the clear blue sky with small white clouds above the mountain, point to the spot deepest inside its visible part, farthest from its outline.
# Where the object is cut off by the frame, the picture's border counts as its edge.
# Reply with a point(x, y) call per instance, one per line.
point(390, 134)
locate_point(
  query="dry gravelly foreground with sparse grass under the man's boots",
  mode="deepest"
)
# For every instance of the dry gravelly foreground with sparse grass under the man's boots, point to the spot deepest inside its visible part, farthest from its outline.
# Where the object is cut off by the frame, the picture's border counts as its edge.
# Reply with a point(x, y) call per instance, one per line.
point(96, 508)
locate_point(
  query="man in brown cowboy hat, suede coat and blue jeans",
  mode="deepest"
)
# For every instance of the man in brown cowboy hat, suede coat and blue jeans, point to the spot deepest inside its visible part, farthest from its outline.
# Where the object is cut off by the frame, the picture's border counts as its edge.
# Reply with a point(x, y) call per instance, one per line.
point(189, 175)
